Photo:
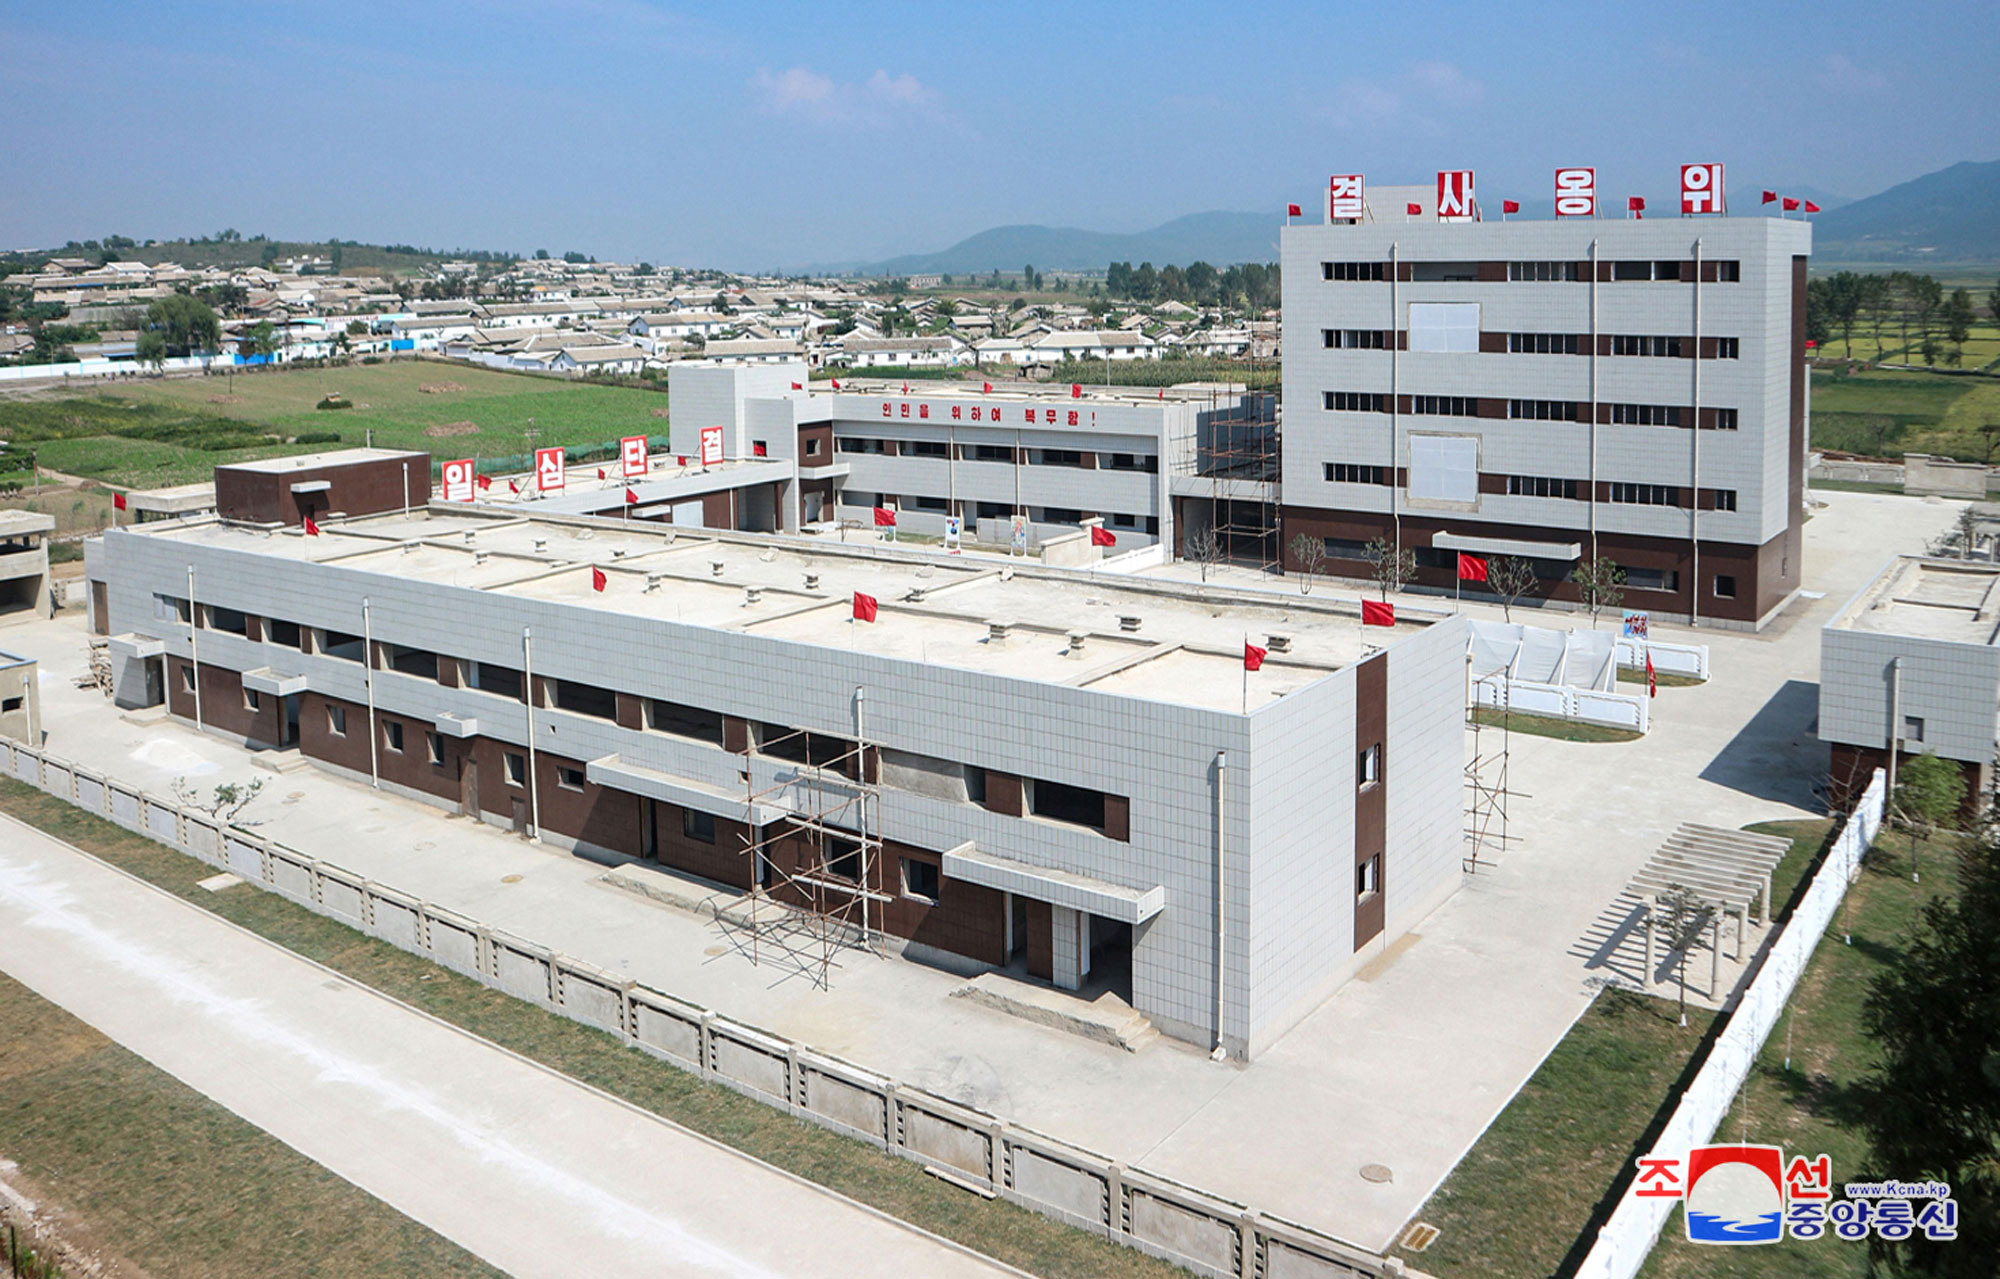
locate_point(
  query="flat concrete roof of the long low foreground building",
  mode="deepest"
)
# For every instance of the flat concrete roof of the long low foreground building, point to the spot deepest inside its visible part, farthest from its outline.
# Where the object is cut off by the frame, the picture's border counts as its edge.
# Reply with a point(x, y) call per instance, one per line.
point(1115, 635)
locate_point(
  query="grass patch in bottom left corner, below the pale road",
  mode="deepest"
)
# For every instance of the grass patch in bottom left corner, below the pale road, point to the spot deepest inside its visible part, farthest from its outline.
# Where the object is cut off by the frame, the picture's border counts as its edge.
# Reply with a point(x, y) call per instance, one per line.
point(177, 1184)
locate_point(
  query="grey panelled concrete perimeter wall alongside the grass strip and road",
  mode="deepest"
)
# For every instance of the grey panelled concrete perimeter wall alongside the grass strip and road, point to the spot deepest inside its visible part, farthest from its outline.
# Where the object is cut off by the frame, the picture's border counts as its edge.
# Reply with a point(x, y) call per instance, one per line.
point(973, 1148)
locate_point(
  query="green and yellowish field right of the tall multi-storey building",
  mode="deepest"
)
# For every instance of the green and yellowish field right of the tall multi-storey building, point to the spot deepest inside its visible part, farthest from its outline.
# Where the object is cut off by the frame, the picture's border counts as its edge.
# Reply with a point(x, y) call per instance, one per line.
point(1887, 415)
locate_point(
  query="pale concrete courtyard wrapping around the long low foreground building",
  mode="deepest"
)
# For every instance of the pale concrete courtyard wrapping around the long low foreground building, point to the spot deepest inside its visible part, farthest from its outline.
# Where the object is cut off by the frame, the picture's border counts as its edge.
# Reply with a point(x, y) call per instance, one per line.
point(1405, 1066)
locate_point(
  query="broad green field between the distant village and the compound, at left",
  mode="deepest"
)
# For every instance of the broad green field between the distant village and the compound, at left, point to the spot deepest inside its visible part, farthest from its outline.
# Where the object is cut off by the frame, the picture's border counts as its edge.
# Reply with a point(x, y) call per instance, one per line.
point(177, 431)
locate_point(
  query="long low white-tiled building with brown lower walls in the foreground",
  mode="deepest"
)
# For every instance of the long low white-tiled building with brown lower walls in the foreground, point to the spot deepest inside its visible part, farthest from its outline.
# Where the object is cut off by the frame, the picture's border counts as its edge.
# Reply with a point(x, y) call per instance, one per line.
point(957, 758)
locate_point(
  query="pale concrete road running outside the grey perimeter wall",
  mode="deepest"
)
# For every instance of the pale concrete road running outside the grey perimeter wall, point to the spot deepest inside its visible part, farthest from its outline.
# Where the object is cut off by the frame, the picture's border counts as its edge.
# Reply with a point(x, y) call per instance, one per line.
point(521, 1166)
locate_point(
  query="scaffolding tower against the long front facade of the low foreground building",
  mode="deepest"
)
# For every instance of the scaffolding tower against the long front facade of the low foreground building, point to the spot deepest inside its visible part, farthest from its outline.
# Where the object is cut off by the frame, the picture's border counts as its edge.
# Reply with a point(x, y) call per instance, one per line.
point(817, 870)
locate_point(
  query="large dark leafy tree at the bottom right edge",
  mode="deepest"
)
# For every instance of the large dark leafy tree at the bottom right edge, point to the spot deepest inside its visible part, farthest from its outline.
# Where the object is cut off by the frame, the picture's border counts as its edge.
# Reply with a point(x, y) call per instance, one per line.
point(1933, 1106)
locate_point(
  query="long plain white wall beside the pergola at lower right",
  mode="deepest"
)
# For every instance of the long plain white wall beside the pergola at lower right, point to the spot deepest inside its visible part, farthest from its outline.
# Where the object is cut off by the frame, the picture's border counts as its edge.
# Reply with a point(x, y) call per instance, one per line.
point(1635, 1226)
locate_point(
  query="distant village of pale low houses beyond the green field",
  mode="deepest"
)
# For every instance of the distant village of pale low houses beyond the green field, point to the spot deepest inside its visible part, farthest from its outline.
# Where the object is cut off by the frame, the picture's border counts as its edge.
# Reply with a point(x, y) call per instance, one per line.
point(599, 319)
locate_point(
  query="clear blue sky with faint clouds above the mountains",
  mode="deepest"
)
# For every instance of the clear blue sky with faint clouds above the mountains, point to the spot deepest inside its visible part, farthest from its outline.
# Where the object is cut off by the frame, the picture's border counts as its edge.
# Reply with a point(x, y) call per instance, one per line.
point(779, 135)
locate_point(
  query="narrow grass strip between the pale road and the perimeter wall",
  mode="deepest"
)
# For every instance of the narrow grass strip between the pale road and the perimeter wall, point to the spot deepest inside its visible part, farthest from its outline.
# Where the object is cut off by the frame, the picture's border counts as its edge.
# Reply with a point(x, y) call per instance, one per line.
point(895, 1186)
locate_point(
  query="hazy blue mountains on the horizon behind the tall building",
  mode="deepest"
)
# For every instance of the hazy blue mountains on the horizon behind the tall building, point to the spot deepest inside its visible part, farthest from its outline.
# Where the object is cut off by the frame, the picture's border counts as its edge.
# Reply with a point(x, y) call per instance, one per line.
point(1943, 217)
